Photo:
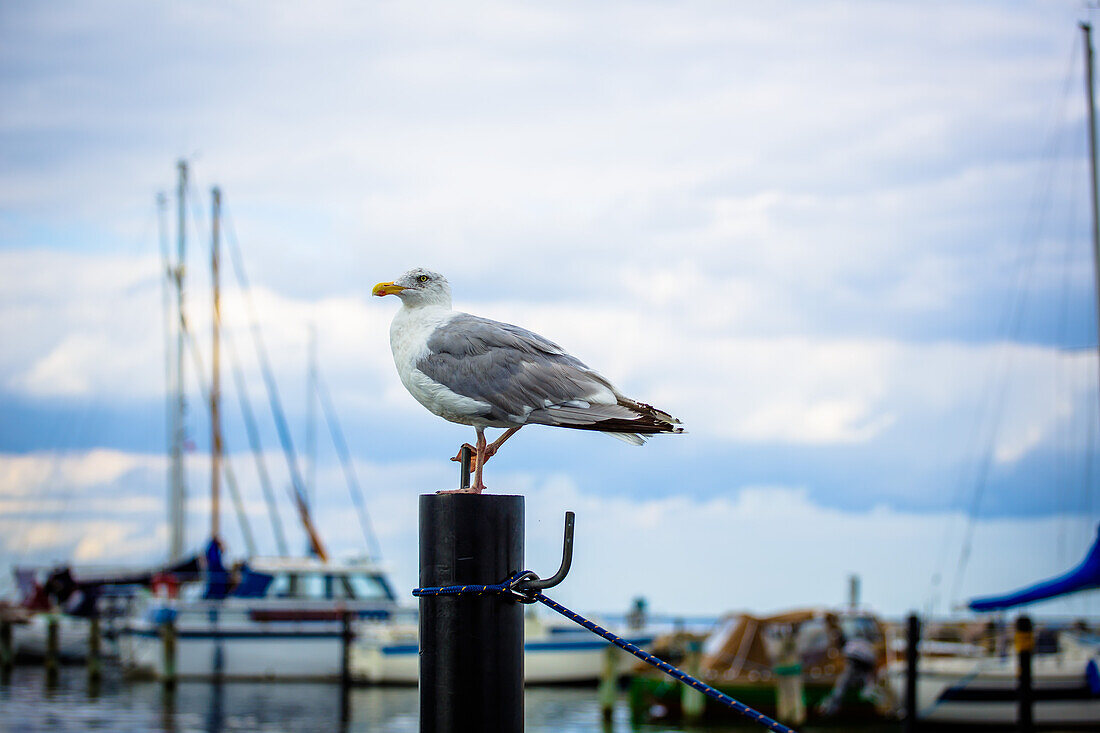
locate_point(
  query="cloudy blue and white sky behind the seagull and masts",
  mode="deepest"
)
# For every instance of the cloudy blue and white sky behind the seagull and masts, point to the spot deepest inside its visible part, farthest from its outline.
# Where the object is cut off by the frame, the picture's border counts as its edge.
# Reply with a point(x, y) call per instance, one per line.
point(845, 243)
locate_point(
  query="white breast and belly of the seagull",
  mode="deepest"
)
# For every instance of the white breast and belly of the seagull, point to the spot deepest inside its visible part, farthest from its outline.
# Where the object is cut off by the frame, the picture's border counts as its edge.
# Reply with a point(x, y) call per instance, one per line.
point(409, 340)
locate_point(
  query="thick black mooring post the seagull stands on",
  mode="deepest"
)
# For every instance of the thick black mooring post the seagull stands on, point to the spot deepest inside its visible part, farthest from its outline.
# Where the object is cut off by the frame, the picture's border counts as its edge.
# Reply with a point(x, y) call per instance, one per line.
point(471, 647)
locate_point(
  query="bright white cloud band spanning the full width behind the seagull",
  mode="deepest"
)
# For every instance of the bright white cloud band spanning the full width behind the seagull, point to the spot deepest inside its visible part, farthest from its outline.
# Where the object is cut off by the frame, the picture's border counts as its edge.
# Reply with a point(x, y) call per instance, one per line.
point(694, 355)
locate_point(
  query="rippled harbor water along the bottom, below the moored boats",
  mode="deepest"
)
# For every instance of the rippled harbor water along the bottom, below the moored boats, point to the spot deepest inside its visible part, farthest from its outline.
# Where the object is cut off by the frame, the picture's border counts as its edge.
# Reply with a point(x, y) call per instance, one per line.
point(29, 704)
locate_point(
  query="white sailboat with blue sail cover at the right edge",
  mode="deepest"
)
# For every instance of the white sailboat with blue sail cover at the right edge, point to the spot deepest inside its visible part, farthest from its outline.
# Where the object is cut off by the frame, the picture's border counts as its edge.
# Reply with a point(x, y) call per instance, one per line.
point(983, 691)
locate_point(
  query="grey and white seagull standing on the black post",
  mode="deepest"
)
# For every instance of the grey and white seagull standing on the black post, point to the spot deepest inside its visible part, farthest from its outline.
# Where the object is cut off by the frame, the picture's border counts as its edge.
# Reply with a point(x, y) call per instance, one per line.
point(481, 373)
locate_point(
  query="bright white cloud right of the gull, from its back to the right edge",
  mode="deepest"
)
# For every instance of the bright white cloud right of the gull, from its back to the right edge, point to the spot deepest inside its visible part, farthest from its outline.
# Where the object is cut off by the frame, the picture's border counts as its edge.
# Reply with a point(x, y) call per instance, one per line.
point(815, 390)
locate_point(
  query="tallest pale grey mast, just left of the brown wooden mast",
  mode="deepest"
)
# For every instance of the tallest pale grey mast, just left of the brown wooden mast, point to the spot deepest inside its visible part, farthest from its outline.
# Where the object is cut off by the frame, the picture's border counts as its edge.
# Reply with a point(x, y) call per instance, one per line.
point(177, 500)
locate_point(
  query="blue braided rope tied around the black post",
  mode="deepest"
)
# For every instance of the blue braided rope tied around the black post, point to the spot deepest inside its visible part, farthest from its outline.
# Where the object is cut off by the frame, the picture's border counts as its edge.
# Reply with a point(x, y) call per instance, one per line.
point(511, 585)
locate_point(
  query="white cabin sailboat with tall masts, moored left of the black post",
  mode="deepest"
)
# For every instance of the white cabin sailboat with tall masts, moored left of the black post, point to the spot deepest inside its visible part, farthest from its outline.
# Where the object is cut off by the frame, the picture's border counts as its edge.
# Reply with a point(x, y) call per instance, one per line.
point(262, 618)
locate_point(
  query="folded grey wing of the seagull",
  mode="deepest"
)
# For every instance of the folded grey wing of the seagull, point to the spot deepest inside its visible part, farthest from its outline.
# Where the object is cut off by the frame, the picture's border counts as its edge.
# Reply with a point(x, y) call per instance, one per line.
point(523, 377)
